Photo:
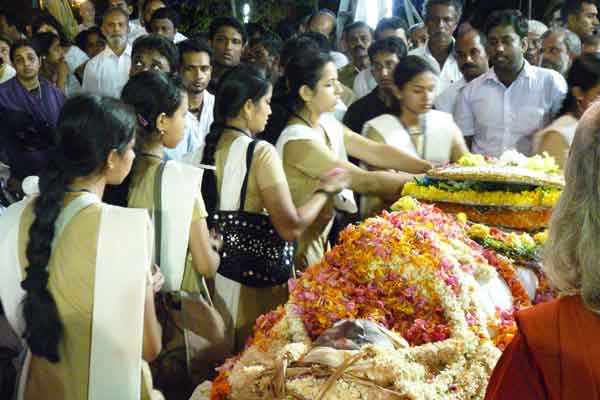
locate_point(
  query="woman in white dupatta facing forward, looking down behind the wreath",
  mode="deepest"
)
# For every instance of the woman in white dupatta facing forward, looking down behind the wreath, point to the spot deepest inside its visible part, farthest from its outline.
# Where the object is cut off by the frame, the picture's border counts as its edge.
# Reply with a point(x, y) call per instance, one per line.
point(416, 128)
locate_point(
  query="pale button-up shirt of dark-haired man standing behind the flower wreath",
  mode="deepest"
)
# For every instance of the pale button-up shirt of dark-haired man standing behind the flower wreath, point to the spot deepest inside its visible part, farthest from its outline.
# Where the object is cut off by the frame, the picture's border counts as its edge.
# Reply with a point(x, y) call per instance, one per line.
point(501, 118)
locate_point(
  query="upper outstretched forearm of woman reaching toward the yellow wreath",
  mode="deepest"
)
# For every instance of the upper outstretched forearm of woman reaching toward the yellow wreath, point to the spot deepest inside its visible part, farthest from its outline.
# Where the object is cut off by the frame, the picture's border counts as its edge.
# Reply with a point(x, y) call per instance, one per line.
point(383, 156)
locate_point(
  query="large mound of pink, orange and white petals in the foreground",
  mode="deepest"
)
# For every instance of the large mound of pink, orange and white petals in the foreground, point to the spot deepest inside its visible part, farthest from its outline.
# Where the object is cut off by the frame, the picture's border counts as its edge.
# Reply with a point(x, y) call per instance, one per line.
point(415, 273)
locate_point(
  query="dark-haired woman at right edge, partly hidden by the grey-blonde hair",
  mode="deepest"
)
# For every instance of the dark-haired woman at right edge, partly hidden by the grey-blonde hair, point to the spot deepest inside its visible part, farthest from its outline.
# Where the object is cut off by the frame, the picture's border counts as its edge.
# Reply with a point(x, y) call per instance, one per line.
point(584, 88)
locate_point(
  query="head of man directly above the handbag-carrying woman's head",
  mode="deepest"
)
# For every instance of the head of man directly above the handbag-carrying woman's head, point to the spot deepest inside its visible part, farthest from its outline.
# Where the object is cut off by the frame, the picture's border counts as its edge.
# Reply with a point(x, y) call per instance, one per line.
point(227, 38)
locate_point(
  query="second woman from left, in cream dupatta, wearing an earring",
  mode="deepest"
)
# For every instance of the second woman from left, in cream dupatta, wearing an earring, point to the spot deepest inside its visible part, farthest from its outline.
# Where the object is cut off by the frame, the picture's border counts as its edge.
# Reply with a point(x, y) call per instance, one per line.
point(185, 250)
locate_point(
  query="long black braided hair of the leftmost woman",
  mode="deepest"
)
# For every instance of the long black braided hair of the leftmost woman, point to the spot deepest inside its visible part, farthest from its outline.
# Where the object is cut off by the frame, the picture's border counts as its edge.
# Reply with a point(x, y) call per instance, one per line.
point(89, 128)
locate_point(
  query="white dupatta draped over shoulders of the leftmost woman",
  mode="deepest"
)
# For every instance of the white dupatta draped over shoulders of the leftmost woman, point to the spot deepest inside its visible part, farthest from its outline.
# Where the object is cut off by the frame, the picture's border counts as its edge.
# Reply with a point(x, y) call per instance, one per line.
point(117, 333)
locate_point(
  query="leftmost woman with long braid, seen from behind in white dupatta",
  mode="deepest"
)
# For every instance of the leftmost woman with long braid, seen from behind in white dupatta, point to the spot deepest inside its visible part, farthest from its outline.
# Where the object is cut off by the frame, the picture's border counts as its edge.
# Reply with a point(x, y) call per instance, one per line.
point(84, 267)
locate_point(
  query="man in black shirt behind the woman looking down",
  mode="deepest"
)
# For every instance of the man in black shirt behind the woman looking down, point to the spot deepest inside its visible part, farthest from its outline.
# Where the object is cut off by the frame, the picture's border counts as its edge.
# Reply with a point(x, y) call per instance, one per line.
point(385, 54)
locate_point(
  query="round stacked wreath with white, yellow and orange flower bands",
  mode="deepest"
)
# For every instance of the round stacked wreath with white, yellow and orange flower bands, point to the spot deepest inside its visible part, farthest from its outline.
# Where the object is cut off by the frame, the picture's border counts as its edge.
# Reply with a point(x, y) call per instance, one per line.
point(514, 191)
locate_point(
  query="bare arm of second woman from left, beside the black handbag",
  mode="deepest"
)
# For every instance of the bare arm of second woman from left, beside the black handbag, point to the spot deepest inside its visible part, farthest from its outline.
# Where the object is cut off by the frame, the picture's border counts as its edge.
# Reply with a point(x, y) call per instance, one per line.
point(204, 258)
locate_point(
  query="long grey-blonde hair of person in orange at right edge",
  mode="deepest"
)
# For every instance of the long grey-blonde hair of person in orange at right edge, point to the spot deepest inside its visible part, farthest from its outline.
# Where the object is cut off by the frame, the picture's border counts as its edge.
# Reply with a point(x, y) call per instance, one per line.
point(572, 253)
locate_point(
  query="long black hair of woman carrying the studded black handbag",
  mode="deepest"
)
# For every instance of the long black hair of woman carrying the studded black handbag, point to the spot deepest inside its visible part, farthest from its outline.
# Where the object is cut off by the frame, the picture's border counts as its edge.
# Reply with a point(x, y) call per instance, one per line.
point(236, 87)
